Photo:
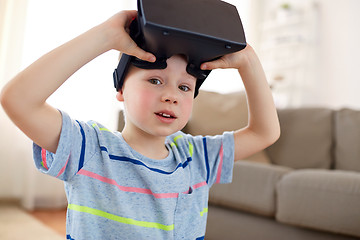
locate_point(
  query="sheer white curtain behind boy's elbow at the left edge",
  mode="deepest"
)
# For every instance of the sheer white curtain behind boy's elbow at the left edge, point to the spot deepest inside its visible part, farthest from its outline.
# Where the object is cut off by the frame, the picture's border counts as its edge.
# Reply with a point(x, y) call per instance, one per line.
point(19, 179)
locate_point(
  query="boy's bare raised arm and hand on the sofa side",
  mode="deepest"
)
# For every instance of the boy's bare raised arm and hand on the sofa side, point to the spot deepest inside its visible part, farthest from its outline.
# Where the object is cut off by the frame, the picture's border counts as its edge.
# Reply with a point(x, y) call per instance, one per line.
point(263, 128)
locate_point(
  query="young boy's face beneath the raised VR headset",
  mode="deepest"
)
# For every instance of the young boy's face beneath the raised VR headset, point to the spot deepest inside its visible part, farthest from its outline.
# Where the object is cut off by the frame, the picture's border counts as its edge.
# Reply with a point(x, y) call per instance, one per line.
point(158, 102)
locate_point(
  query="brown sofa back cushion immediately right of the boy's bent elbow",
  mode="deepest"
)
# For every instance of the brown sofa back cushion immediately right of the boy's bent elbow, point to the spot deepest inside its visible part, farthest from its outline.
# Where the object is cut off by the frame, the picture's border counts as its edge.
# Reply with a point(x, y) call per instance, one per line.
point(306, 138)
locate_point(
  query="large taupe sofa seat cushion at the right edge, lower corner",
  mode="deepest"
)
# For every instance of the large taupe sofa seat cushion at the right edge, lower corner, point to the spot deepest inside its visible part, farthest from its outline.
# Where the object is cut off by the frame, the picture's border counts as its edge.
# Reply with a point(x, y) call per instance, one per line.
point(320, 199)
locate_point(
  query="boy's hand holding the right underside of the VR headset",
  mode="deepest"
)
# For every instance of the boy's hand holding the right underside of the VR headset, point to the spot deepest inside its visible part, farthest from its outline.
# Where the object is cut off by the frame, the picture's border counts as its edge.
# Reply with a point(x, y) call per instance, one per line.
point(233, 60)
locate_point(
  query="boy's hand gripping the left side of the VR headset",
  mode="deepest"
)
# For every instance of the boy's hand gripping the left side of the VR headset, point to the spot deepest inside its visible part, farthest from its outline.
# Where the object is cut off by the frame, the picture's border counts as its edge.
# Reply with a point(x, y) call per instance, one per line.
point(119, 36)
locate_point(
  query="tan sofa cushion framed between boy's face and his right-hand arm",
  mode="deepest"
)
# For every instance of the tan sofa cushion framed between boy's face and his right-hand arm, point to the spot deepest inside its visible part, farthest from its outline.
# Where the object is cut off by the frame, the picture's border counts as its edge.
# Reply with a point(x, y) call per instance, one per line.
point(214, 113)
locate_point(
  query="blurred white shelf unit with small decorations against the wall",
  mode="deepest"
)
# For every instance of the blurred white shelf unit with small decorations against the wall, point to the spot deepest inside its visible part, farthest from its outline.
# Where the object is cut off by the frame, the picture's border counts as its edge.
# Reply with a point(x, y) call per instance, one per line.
point(288, 49)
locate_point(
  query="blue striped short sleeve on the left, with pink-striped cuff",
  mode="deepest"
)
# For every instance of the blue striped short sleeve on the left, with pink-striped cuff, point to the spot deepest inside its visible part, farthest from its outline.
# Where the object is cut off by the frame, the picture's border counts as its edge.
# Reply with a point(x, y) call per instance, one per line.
point(76, 146)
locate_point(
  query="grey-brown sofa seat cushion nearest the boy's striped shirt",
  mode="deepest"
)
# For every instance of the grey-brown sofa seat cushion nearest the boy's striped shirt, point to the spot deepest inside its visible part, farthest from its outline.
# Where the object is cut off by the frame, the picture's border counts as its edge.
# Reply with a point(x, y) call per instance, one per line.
point(252, 188)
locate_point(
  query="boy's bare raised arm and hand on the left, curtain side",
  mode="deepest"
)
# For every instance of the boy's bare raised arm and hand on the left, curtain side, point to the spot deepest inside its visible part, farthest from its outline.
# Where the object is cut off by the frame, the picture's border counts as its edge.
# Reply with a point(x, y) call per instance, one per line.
point(24, 97)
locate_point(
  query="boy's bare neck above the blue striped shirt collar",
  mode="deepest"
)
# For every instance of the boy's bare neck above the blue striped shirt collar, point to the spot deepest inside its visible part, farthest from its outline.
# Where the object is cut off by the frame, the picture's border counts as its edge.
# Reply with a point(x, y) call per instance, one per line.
point(147, 145)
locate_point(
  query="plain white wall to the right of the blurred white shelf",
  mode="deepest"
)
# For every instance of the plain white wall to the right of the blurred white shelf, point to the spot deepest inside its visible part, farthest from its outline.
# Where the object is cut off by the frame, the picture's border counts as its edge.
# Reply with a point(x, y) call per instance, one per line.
point(339, 81)
